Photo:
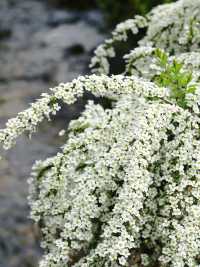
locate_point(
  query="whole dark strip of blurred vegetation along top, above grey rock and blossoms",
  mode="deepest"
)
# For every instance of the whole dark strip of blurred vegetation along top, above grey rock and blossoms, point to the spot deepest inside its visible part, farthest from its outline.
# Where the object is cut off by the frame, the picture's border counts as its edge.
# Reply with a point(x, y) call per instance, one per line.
point(113, 10)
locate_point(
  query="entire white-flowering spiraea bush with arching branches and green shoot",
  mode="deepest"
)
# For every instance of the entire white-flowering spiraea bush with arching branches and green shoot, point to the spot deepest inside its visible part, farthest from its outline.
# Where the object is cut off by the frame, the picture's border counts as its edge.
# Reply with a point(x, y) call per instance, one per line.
point(124, 190)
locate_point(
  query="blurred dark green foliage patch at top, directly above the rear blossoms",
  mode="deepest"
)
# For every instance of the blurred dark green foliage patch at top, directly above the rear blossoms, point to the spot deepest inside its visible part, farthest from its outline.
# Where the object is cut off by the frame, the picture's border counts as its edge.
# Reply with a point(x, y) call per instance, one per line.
point(119, 10)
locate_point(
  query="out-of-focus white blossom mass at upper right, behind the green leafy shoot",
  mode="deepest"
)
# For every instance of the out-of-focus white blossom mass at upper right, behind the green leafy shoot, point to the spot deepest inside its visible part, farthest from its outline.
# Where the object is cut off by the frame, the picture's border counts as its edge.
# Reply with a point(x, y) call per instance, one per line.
point(173, 27)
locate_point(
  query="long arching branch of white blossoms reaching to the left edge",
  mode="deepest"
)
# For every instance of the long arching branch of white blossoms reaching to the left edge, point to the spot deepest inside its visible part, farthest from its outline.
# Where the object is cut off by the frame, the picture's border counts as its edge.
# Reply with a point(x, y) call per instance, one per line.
point(102, 86)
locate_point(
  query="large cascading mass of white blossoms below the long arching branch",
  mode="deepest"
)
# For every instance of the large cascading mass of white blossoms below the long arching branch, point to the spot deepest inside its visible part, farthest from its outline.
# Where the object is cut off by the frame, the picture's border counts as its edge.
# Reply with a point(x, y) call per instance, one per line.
point(126, 181)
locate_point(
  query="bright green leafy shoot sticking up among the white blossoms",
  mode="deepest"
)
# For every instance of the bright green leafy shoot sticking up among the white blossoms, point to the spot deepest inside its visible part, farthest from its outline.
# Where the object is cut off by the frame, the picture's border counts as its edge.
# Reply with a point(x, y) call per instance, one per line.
point(174, 77)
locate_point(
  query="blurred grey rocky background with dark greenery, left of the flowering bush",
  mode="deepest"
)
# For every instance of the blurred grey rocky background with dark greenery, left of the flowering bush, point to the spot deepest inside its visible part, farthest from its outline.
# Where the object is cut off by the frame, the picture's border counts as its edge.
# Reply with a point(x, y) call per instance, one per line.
point(43, 43)
